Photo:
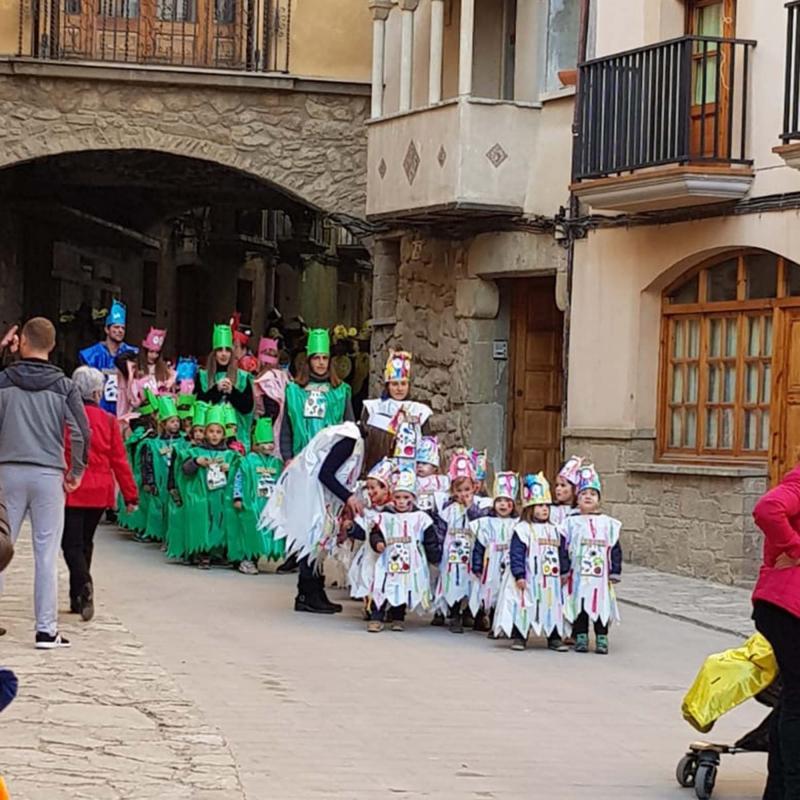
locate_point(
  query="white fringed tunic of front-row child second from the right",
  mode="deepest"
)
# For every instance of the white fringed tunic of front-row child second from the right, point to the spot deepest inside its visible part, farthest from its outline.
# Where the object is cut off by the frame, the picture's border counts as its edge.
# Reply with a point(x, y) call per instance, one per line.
point(541, 606)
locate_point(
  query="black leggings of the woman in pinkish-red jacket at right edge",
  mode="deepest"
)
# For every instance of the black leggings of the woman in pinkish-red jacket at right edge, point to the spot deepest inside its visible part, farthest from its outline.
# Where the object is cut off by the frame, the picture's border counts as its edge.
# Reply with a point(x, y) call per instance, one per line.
point(782, 630)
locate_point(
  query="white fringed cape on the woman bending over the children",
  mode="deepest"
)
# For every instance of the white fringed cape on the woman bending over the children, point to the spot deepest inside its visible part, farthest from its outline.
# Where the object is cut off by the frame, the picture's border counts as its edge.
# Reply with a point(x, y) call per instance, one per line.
point(301, 509)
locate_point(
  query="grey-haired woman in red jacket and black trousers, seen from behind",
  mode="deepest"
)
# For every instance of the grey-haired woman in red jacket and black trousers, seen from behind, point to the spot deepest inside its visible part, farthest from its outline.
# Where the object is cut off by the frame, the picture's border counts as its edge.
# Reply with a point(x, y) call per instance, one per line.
point(97, 492)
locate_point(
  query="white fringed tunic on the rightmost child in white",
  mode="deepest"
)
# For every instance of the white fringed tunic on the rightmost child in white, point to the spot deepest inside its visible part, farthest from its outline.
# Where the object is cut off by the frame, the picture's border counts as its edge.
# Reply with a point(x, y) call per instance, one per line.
point(590, 538)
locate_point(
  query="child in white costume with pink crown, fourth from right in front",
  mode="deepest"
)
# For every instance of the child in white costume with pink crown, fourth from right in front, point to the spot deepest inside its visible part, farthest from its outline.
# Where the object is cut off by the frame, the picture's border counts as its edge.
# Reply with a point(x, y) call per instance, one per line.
point(455, 570)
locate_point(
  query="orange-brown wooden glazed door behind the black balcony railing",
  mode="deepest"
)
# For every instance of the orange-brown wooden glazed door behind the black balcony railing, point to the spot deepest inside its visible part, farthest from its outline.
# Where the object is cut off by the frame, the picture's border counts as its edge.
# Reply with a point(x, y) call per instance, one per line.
point(712, 76)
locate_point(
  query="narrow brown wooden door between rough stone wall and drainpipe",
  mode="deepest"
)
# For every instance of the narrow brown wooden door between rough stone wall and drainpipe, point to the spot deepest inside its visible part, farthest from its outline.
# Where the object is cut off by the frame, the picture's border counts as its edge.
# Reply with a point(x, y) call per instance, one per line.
point(536, 378)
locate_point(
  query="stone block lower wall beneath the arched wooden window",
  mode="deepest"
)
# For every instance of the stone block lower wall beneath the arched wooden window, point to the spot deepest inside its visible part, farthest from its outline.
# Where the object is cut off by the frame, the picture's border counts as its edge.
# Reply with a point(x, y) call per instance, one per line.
point(694, 521)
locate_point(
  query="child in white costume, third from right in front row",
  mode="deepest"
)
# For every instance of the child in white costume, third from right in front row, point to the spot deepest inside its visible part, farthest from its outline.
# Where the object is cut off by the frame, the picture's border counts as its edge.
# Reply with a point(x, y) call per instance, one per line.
point(490, 548)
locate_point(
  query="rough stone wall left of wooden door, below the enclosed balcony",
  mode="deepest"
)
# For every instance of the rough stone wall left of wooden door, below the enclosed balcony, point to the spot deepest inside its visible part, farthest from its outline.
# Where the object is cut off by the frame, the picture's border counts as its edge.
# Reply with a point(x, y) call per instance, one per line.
point(448, 321)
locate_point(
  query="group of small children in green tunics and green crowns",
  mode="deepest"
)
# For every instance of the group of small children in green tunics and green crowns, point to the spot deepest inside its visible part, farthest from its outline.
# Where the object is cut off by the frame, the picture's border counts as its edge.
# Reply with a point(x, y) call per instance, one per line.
point(202, 483)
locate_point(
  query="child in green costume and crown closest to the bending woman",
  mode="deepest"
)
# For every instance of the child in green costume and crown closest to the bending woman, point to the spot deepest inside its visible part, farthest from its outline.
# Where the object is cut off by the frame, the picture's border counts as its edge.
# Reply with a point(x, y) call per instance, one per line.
point(255, 479)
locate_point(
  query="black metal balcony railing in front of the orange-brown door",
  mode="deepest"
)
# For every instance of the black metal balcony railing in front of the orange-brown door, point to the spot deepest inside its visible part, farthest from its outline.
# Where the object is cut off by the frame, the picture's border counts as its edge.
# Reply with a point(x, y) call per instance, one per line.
point(678, 102)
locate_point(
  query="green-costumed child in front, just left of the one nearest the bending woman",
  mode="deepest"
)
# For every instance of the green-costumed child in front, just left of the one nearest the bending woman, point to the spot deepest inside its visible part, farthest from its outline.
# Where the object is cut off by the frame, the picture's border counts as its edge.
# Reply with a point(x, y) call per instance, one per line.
point(206, 488)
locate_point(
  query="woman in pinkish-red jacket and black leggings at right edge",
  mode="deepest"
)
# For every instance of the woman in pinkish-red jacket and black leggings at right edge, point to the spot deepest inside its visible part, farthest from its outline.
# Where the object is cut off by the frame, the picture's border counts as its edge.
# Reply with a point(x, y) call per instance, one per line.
point(776, 612)
